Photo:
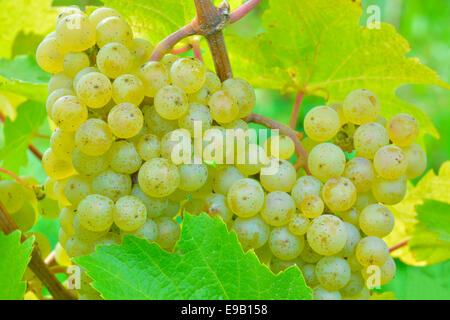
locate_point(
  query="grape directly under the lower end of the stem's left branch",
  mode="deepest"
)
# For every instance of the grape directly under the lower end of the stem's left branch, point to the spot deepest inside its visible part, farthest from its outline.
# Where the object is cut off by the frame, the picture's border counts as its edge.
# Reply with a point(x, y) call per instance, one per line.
point(154, 77)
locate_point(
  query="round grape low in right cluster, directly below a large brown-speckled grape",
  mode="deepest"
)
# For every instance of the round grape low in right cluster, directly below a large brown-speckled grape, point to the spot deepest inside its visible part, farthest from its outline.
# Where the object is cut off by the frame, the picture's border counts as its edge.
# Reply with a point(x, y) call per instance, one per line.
point(333, 273)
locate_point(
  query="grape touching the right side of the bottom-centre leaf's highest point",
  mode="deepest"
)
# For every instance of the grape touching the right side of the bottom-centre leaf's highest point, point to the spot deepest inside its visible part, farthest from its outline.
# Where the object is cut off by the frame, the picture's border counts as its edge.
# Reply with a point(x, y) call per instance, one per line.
point(252, 232)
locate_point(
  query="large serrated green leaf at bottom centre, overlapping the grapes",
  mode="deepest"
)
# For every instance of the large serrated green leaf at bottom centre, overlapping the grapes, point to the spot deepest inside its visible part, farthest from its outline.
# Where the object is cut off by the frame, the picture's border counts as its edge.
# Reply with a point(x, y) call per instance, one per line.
point(208, 263)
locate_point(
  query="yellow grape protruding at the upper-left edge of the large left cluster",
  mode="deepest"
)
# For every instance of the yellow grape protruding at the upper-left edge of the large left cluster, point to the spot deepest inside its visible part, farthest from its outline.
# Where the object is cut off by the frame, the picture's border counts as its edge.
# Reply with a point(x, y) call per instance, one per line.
point(50, 55)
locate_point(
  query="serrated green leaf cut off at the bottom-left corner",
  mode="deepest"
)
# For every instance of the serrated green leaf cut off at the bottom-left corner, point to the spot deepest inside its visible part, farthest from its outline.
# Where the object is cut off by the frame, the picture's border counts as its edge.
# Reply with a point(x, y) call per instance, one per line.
point(14, 259)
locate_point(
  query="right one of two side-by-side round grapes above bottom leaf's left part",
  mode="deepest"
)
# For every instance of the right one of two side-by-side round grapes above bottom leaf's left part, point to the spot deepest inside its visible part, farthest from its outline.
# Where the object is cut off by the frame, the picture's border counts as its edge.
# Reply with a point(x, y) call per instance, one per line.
point(130, 213)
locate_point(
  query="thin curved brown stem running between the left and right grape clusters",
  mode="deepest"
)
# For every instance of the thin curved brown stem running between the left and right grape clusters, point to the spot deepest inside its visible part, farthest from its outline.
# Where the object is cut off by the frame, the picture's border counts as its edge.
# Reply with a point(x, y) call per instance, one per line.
point(302, 154)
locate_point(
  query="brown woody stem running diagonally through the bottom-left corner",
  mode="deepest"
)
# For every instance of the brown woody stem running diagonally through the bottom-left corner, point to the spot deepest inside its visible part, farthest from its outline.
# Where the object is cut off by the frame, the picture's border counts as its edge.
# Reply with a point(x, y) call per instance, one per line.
point(36, 264)
